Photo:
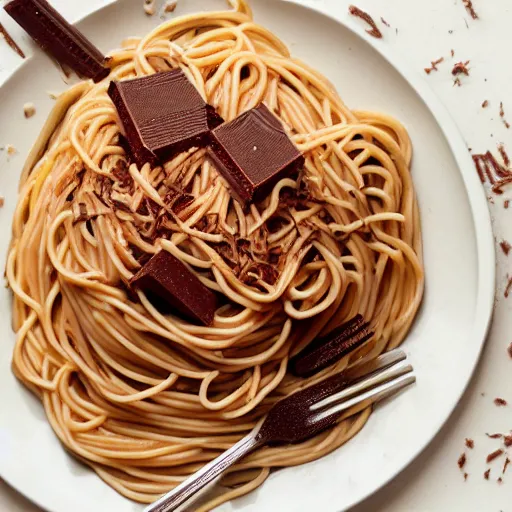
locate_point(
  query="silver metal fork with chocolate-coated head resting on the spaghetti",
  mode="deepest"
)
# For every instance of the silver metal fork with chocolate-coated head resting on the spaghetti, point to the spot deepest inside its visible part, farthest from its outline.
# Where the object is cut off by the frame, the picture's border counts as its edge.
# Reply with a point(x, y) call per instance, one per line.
point(301, 416)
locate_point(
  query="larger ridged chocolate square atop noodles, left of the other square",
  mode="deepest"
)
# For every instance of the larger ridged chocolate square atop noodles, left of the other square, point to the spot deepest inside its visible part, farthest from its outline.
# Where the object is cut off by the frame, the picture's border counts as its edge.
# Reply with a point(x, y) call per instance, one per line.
point(162, 115)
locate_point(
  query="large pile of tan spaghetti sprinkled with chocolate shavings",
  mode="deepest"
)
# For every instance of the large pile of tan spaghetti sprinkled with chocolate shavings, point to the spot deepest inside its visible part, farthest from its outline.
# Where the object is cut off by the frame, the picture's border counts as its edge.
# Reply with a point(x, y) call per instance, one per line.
point(142, 396)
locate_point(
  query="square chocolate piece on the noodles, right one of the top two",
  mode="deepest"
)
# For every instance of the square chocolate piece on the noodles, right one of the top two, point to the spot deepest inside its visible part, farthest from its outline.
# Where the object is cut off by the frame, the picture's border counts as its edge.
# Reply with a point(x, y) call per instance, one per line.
point(253, 153)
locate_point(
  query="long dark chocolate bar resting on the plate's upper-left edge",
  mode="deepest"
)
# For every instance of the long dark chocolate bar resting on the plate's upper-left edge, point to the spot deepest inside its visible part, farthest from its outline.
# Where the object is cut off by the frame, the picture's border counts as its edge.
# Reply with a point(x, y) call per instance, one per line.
point(58, 37)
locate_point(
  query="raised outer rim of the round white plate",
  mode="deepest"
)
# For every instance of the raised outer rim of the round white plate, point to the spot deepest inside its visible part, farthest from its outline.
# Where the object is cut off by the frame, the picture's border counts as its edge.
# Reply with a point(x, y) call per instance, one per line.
point(480, 214)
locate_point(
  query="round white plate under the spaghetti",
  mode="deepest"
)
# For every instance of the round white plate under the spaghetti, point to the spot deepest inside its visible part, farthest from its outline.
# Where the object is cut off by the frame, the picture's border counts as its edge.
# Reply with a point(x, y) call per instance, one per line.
point(446, 340)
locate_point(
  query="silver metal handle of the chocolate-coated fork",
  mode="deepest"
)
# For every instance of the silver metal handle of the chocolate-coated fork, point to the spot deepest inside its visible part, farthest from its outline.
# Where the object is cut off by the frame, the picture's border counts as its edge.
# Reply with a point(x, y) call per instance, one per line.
point(188, 489)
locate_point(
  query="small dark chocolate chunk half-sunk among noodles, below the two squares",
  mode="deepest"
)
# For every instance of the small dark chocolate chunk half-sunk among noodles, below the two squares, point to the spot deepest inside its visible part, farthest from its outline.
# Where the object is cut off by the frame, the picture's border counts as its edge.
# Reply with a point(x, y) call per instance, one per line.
point(168, 278)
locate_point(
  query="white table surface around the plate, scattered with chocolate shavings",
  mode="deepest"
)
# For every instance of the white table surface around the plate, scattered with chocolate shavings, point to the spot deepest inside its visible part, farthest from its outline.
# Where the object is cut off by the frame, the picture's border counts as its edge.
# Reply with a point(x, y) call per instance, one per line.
point(428, 30)
